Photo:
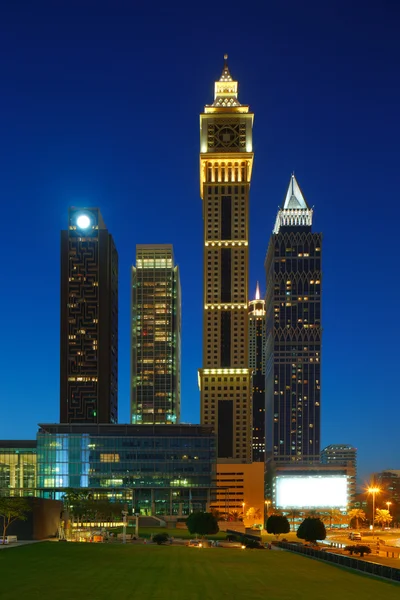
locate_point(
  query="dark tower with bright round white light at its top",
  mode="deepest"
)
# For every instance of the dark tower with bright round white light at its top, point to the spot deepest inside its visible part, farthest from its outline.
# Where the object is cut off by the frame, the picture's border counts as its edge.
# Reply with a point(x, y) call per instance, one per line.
point(89, 320)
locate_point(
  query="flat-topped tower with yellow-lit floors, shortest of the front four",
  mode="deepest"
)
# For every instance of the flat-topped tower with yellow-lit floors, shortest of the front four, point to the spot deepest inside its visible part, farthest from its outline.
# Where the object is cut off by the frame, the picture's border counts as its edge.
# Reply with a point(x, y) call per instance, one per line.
point(156, 336)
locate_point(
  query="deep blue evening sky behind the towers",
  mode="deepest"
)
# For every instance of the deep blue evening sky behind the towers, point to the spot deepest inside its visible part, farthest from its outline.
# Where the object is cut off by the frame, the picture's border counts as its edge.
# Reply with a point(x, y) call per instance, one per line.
point(99, 106)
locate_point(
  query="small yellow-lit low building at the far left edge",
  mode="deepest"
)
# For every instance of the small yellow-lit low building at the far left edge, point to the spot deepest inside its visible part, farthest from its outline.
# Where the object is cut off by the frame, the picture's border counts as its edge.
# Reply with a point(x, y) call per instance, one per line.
point(17, 467)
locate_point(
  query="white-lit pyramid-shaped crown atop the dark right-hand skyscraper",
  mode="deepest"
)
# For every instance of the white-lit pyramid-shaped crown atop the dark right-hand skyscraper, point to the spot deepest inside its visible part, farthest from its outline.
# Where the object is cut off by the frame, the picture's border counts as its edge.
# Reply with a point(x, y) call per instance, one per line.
point(295, 211)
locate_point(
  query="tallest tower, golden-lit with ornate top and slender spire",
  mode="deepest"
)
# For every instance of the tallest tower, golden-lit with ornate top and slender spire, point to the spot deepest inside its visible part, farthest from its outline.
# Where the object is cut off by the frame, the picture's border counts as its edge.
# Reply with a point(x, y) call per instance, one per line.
point(226, 161)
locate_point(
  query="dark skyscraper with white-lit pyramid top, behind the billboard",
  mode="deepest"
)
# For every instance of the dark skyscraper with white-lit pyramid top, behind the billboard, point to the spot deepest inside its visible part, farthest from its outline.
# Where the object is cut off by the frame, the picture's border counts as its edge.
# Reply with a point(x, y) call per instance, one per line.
point(293, 348)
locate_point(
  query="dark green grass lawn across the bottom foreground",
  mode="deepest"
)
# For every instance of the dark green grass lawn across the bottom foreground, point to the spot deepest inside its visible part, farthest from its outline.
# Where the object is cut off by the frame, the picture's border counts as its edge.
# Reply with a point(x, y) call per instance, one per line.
point(52, 570)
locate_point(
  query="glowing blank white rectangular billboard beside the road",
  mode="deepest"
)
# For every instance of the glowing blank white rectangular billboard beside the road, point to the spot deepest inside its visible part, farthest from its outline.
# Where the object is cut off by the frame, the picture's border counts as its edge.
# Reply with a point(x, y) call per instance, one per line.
point(311, 492)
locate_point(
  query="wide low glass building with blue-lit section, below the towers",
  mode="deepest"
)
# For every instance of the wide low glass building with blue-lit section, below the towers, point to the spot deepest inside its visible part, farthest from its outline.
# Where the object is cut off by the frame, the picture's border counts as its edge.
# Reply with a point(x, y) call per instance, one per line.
point(156, 469)
